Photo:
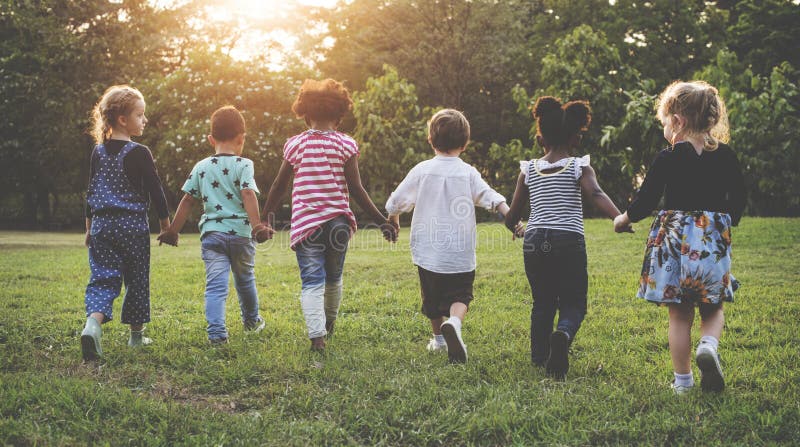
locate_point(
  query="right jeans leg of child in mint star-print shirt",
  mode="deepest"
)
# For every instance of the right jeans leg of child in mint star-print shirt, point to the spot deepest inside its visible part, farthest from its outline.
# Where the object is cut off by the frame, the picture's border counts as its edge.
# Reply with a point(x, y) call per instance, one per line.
point(243, 255)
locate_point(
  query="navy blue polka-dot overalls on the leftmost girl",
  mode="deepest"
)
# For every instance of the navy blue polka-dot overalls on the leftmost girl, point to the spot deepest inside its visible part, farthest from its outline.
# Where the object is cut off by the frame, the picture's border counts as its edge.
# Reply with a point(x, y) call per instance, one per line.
point(120, 241)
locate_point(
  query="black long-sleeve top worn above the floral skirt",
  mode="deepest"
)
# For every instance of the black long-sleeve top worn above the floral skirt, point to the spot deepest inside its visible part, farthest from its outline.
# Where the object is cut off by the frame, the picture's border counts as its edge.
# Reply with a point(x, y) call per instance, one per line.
point(711, 181)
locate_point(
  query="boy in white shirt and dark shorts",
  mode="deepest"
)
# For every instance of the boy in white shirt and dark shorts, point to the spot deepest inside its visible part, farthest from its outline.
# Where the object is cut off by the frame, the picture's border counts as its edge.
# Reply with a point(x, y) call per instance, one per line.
point(443, 193)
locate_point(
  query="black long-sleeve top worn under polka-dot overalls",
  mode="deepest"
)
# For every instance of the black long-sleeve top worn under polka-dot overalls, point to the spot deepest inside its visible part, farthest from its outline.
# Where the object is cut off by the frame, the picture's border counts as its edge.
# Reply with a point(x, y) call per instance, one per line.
point(141, 172)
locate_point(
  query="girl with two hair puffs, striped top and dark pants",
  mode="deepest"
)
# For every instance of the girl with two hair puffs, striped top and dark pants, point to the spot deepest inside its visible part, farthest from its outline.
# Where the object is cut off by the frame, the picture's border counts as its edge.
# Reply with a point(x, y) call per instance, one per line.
point(554, 248)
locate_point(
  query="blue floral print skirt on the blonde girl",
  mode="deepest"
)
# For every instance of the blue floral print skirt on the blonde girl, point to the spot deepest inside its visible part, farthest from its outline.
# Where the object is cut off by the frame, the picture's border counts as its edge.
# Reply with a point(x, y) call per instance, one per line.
point(688, 259)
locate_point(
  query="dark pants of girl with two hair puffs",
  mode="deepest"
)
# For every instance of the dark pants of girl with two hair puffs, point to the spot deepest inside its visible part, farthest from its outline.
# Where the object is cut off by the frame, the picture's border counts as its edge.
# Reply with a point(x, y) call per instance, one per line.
point(555, 263)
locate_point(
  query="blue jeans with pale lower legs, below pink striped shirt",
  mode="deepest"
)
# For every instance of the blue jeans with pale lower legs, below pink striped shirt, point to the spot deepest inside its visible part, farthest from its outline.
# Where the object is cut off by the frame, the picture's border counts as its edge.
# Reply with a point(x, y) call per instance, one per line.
point(321, 260)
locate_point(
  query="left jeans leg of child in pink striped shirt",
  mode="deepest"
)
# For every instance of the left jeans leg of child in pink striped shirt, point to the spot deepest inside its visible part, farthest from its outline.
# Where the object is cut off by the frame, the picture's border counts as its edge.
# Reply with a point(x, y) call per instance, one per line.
point(311, 260)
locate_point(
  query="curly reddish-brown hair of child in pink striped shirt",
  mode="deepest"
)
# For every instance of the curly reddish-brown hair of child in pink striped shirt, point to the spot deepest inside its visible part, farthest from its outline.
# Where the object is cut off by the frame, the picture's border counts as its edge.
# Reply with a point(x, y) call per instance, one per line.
point(326, 100)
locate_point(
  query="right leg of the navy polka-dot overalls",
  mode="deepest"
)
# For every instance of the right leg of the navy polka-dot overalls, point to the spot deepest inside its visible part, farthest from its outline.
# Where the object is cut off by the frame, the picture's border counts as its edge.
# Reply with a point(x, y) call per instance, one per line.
point(136, 274)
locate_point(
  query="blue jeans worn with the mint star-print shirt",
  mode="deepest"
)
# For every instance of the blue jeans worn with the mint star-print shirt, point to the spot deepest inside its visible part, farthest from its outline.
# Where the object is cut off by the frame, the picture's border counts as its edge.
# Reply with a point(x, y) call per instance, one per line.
point(223, 253)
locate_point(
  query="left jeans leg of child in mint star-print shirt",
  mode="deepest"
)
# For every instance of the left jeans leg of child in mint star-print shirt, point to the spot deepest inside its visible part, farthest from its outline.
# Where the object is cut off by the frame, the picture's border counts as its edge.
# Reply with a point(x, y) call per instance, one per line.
point(218, 266)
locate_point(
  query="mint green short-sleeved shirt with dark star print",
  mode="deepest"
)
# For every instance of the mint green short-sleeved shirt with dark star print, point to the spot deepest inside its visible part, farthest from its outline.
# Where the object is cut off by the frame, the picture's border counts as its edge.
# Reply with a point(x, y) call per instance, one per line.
point(217, 182)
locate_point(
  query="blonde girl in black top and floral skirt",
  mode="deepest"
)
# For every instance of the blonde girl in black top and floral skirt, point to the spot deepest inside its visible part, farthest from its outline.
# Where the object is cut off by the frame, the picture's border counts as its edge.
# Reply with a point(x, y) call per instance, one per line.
point(688, 255)
